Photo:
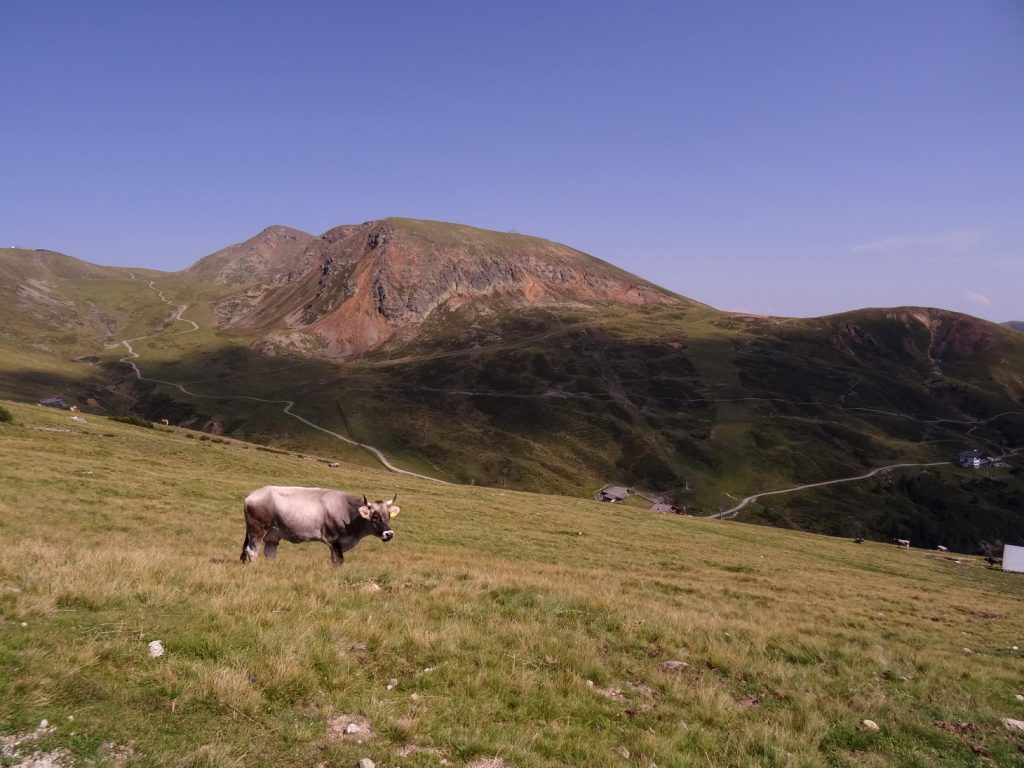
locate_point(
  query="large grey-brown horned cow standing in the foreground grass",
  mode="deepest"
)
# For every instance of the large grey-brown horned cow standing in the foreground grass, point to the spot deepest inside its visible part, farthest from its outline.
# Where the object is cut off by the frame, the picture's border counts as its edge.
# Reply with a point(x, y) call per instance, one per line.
point(300, 515)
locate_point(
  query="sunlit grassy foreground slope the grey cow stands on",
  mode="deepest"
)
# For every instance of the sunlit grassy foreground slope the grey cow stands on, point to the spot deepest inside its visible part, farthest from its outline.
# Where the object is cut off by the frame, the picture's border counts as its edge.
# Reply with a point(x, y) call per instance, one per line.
point(529, 628)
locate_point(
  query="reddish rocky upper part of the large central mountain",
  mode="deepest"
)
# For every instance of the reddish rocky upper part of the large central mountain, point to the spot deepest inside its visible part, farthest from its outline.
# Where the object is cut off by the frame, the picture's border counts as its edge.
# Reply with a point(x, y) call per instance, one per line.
point(366, 285)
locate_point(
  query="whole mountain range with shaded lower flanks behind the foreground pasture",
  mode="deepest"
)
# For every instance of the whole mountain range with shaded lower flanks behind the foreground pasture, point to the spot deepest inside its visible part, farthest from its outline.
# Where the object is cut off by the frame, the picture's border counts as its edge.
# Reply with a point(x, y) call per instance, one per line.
point(502, 360)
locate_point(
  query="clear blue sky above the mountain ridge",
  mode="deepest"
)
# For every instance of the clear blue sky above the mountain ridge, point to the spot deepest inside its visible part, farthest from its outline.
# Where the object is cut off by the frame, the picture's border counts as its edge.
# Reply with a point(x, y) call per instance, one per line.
point(790, 158)
